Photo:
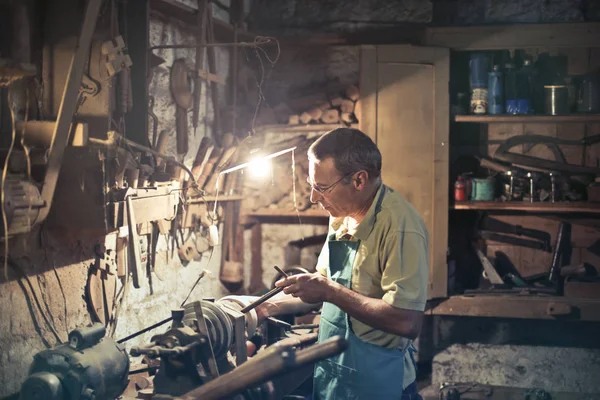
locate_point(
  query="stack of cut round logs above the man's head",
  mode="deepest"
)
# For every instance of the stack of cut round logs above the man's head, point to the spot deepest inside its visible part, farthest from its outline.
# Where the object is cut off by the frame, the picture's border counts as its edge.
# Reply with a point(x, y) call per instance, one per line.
point(338, 106)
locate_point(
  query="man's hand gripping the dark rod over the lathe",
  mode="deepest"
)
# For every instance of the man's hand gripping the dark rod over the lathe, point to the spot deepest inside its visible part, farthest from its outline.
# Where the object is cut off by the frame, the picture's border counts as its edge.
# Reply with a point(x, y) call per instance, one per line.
point(310, 288)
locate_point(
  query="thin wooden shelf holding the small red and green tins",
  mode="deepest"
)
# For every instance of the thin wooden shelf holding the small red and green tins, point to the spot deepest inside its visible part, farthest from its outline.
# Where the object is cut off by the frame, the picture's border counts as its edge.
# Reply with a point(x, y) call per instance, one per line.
point(582, 207)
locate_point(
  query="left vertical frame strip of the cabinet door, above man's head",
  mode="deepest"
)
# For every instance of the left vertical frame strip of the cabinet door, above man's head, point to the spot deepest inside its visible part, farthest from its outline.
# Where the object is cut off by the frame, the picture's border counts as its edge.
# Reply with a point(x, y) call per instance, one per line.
point(368, 89)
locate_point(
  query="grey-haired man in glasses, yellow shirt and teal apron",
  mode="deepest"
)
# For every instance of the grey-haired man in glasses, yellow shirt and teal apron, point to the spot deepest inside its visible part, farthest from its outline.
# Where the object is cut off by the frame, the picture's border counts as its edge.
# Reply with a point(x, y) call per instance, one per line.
point(371, 275)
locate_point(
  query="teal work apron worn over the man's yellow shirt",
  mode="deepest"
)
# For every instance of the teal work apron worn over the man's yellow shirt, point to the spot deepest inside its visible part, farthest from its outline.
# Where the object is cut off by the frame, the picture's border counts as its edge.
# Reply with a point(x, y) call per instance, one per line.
point(364, 371)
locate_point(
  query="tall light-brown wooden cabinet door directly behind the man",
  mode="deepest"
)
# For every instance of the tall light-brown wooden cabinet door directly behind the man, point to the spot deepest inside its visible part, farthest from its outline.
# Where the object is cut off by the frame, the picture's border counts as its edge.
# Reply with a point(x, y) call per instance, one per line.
point(405, 110)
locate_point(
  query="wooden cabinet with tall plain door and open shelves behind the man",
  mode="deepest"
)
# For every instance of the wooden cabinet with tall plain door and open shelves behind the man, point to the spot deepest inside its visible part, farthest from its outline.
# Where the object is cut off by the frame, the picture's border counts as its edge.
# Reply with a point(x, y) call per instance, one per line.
point(406, 111)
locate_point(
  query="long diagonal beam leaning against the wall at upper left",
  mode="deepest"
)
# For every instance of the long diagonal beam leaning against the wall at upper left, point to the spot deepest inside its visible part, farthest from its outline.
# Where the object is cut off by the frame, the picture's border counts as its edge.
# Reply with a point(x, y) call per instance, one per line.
point(68, 105)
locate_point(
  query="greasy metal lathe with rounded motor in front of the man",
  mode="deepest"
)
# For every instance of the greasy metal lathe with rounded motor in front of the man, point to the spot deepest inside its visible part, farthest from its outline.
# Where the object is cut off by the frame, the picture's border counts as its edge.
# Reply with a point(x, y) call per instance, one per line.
point(203, 355)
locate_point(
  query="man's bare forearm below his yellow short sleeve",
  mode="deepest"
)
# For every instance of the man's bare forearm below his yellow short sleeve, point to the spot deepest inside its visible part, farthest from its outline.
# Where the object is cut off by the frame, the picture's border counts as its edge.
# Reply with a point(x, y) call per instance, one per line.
point(377, 313)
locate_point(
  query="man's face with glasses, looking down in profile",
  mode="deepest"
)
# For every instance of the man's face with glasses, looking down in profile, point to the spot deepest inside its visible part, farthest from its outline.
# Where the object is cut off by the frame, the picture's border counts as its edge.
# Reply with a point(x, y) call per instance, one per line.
point(329, 188)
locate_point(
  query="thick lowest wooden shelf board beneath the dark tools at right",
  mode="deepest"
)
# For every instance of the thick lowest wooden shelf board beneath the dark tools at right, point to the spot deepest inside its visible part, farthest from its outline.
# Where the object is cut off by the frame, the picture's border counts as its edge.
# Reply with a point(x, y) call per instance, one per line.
point(518, 306)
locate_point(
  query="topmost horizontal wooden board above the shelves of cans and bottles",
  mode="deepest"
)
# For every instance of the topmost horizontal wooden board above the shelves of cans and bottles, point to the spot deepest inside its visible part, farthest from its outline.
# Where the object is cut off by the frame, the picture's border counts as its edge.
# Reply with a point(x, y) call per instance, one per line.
point(514, 36)
